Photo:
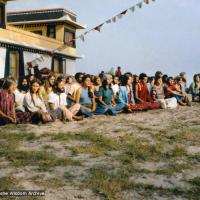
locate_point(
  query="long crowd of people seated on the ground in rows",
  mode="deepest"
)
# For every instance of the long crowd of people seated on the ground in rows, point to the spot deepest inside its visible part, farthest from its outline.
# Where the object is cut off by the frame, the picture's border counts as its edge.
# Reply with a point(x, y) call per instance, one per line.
point(37, 100)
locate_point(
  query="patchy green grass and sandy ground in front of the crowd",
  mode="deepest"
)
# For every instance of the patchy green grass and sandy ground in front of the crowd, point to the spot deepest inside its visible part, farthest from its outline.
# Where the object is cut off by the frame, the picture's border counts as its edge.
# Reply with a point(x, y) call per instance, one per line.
point(150, 155)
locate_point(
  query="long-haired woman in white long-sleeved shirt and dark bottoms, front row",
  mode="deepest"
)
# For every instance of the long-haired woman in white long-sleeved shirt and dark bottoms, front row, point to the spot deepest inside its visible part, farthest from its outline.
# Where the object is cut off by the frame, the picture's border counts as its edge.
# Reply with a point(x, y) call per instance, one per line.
point(35, 105)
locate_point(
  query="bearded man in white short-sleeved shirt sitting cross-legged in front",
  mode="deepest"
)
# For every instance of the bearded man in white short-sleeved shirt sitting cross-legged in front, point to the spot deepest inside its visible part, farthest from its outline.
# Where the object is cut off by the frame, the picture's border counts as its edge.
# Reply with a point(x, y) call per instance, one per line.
point(59, 109)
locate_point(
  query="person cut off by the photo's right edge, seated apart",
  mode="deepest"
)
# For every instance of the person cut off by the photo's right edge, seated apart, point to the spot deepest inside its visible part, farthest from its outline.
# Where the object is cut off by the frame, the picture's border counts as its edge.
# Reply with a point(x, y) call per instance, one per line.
point(194, 88)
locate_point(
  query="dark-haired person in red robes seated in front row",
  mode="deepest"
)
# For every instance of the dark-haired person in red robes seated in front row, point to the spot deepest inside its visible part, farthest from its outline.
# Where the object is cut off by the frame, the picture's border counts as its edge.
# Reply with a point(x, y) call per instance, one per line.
point(143, 96)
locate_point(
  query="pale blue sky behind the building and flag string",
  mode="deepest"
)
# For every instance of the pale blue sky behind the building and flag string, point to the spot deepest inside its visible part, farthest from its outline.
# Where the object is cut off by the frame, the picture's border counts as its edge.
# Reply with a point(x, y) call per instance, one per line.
point(164, 35)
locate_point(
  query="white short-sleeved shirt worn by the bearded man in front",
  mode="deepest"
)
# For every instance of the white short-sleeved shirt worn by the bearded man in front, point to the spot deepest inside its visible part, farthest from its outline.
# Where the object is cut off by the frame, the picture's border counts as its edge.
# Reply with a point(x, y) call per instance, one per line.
point(57, 100)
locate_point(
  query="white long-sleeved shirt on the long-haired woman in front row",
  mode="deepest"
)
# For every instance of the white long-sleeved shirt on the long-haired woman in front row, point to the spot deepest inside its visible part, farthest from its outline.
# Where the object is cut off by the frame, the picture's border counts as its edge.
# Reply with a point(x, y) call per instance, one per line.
point(35, 106)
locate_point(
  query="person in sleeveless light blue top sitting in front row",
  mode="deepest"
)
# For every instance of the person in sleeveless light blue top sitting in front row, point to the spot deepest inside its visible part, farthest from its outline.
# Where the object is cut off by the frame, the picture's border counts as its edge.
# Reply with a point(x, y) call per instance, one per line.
point(85, 97)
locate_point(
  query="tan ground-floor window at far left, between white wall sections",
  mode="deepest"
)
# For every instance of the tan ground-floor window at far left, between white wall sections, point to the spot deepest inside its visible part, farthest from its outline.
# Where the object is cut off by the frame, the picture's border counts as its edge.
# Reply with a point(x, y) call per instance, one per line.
point(14, 64)
